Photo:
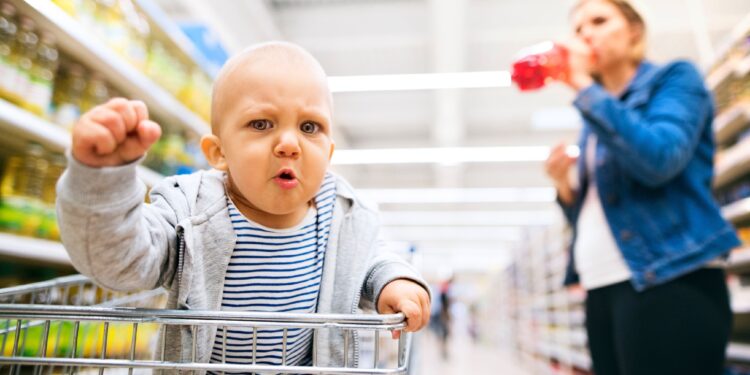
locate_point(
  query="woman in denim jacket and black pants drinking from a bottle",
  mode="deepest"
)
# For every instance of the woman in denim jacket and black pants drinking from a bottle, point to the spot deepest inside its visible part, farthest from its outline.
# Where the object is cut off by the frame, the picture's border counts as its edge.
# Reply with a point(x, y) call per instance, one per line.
point(647, 233)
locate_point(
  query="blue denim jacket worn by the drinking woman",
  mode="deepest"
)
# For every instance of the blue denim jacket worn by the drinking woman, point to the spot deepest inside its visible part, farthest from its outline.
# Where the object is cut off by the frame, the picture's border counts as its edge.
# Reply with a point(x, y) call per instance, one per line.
point(654, 165)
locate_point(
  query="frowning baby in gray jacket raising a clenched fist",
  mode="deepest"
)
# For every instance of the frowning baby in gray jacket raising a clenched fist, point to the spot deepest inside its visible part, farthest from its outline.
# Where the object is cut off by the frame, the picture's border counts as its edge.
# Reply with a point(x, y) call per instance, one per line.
point(267, 229)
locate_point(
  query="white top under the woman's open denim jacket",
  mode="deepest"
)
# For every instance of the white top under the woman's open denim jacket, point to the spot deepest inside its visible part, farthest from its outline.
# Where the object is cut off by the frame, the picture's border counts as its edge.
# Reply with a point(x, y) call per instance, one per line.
point(598, 259)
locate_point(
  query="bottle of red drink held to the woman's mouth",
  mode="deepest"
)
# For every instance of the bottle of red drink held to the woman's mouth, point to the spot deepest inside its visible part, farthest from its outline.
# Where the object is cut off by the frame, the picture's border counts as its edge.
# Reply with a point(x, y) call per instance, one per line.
point(538, 64)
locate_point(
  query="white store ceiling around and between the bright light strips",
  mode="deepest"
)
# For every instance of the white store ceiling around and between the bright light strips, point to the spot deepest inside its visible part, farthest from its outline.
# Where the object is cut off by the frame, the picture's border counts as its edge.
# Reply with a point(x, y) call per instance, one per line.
point(358, 37)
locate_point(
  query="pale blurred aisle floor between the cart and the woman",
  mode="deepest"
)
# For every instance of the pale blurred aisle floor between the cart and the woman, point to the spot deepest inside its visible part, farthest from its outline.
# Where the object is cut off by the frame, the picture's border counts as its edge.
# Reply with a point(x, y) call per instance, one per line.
point(465, 358)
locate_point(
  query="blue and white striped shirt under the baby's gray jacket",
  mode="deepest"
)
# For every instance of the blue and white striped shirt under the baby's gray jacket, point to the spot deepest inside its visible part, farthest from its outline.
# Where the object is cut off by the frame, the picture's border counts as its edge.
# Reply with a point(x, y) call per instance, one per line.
point(275, 270)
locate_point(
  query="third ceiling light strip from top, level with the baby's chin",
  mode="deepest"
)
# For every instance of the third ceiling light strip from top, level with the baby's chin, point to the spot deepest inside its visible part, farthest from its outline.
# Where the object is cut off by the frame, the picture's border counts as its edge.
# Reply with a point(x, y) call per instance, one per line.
point(474, 195)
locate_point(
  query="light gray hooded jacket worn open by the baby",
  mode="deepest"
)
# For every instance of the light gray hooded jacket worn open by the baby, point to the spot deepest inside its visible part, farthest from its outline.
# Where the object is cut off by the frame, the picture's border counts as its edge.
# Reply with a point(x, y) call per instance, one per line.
point(183, 241)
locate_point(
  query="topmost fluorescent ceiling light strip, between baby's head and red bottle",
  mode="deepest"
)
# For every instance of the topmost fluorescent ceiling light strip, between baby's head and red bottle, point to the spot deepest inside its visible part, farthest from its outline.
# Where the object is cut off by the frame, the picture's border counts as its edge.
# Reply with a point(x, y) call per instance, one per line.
point(430, 81)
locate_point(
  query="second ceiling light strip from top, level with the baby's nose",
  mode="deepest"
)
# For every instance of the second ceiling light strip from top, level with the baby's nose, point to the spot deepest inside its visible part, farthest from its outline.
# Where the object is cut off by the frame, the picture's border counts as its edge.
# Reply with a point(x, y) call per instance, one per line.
point(445, 155)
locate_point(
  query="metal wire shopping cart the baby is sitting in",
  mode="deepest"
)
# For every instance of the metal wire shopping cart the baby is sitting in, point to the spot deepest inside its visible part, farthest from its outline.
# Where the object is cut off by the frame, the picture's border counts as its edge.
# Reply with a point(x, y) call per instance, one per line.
point(69, 325)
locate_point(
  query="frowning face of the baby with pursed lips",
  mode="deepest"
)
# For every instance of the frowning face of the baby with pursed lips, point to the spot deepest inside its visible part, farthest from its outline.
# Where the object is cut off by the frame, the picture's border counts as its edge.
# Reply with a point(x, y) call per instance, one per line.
point(275, 132)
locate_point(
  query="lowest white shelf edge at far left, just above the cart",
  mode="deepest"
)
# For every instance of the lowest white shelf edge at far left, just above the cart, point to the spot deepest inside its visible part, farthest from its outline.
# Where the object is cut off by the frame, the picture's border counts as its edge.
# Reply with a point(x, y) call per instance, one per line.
point(33, 249)
